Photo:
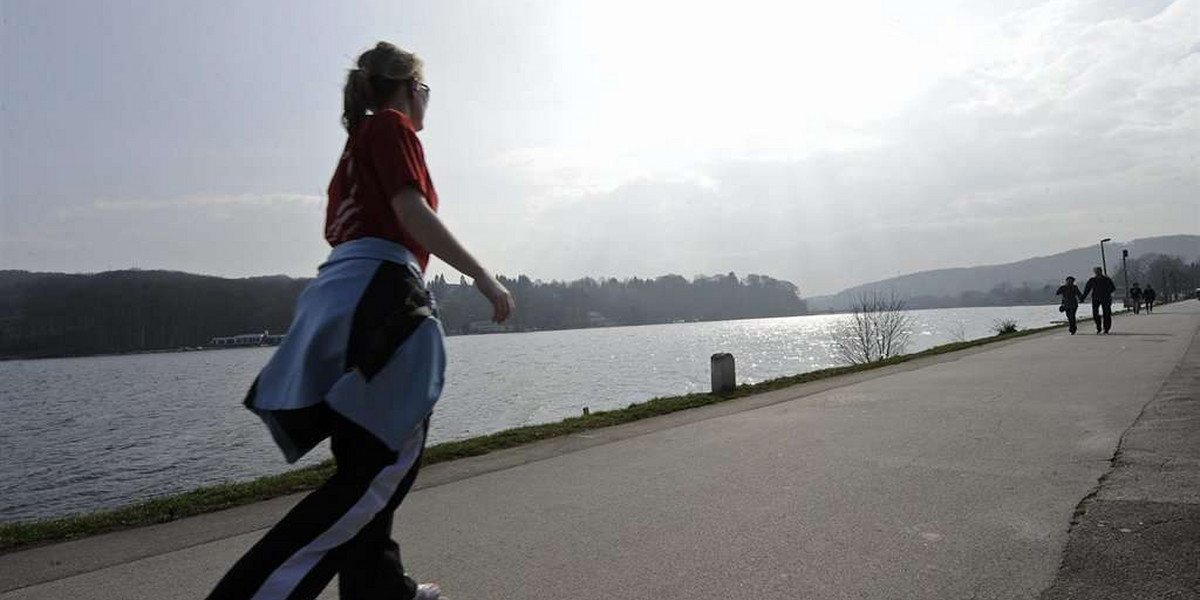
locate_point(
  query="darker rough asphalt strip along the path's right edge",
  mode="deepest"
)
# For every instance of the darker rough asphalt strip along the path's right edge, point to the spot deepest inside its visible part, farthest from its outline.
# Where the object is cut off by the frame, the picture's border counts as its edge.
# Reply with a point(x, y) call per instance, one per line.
point(1138, 537)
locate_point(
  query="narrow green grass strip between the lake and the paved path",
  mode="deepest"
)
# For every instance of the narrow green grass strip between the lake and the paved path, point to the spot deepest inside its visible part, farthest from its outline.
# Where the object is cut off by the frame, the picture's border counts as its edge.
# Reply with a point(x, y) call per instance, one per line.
point(208, 500)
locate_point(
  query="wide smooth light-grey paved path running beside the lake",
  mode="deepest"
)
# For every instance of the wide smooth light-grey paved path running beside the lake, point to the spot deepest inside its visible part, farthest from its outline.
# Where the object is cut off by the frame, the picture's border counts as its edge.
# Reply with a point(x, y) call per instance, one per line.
point(950, 478)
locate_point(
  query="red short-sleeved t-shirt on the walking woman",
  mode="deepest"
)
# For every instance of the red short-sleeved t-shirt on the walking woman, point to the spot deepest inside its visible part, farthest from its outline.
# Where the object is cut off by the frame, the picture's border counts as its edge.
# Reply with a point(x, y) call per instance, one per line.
point(381, 158)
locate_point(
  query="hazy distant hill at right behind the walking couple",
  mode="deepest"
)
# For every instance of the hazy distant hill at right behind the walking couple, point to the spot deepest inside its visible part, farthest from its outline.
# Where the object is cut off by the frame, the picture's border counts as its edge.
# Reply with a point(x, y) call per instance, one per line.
point(1033, 273)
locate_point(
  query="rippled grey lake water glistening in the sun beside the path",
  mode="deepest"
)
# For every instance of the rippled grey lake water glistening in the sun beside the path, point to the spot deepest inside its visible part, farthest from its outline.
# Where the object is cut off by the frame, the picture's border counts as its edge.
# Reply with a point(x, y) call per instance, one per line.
point(80, 435)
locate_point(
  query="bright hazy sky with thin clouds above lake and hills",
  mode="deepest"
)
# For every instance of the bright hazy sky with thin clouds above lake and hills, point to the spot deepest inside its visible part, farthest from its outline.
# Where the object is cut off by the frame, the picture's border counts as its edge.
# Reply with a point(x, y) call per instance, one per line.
point(826, 143)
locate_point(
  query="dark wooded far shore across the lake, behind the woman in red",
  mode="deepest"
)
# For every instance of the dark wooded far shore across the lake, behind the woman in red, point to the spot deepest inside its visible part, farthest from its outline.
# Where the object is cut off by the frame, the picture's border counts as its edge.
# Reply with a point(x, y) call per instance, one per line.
point(63, 315)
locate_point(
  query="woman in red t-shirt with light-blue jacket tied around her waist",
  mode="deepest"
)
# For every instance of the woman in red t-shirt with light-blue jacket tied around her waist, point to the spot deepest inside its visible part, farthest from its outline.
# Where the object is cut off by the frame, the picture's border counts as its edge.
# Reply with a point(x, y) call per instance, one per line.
point(363, 363)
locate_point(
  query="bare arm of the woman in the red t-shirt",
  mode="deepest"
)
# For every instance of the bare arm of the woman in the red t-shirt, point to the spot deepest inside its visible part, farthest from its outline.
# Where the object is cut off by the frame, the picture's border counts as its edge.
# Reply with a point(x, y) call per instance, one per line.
point(419, 220)
